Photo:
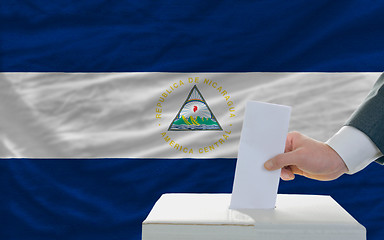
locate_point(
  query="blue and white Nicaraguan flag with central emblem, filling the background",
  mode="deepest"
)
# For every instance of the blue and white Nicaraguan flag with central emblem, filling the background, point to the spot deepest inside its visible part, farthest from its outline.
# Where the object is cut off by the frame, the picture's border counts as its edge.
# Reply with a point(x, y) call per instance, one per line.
point(153, 93)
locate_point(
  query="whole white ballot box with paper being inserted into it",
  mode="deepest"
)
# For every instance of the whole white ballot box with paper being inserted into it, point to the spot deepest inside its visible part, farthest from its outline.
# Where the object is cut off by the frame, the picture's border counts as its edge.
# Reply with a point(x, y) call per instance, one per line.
point(208, 217)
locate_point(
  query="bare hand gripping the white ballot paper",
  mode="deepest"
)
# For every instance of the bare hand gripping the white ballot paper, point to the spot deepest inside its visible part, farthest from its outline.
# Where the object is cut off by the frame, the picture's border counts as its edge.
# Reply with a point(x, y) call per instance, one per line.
point(307, 157)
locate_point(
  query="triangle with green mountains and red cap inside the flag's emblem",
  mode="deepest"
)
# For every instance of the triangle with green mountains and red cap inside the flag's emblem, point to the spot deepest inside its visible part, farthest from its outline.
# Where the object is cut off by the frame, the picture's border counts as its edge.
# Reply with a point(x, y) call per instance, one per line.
point(195, 115)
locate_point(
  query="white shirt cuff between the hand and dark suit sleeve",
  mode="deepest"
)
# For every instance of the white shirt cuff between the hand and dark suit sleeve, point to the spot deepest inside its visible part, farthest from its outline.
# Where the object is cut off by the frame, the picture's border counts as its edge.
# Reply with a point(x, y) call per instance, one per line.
point(354, 147)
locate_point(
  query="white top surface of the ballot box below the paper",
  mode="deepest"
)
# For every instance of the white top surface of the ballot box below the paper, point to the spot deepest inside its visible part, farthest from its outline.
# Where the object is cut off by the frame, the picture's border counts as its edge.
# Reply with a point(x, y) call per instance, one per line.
point(291, 212)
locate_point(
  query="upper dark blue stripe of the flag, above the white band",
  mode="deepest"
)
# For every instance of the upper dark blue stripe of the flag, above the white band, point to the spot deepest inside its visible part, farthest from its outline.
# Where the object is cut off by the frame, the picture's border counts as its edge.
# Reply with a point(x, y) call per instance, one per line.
point(197, 36)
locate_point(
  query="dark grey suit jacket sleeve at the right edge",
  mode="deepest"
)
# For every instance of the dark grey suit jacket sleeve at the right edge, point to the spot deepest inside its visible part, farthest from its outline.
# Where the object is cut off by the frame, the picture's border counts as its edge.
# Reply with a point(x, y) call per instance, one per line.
point(369, 117)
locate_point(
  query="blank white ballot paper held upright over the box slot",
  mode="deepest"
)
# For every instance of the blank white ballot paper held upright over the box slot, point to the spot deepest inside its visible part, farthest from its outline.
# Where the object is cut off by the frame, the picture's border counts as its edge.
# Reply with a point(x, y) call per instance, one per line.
point(263, 136)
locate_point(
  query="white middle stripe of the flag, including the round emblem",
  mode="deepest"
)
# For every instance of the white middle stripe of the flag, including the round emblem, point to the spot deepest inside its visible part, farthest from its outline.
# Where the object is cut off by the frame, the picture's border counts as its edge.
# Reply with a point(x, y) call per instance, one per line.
point(157, 115)
